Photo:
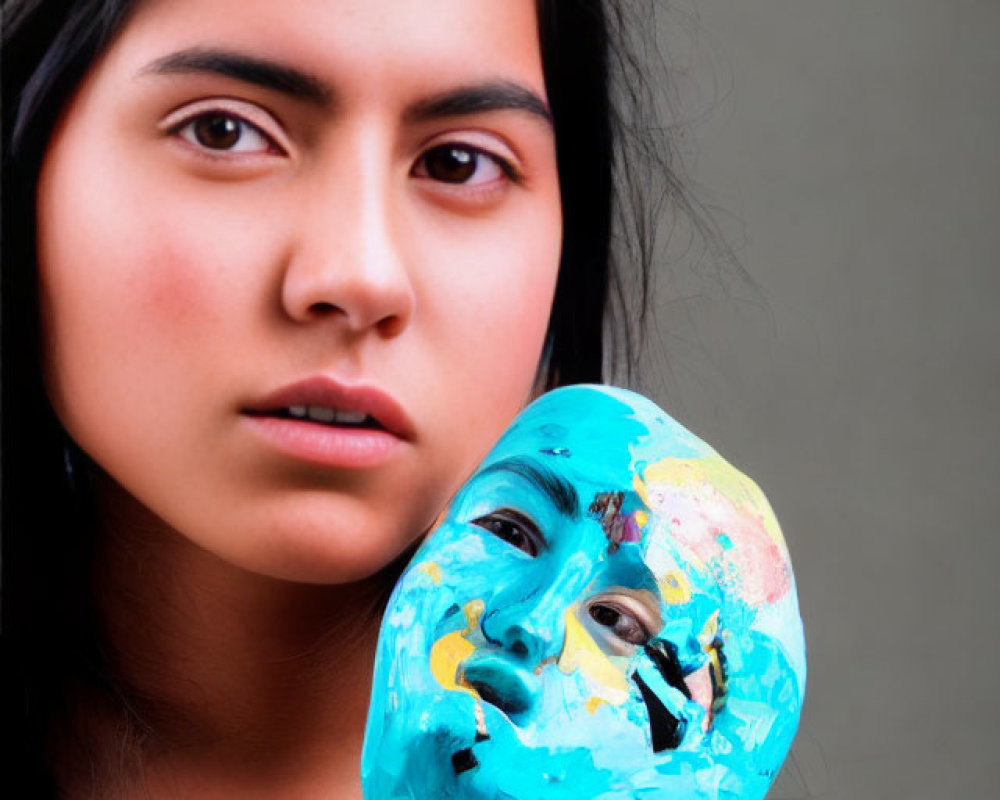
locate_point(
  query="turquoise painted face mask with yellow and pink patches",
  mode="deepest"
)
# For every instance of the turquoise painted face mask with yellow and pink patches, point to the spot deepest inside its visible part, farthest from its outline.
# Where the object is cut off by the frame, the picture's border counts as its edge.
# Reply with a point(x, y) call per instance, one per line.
point(606, 610)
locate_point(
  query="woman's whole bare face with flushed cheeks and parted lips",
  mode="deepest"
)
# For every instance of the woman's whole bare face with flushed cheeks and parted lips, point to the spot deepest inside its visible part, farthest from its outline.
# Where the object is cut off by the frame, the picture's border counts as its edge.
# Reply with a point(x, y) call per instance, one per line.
point(296, 266)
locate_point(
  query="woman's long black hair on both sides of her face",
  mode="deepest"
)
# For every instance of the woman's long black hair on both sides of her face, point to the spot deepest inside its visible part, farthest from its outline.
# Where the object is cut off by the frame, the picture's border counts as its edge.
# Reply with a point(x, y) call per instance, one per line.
point(49, 630)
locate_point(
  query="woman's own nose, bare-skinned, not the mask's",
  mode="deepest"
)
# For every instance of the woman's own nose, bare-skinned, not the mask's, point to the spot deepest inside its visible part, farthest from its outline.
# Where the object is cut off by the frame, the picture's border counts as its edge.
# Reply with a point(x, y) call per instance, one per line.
point(347, 262)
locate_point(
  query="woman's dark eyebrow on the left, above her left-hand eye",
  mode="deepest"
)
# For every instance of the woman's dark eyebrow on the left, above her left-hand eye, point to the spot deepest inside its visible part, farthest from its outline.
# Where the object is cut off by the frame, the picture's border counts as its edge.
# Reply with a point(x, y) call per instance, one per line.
point(258, 71)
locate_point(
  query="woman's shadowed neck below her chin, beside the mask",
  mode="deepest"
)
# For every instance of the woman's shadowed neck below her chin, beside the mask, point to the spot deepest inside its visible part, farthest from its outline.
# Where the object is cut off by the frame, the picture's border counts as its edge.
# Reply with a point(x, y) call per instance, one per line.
point(248, 685)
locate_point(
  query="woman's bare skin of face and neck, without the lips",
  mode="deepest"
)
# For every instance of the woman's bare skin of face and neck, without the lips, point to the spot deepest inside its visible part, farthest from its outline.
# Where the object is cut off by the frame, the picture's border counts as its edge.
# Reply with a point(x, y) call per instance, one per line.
point(205, 240)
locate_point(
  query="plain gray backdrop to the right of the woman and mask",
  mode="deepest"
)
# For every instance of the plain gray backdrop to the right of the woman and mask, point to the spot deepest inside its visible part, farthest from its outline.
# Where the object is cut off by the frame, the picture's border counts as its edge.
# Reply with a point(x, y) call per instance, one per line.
point(849, 149)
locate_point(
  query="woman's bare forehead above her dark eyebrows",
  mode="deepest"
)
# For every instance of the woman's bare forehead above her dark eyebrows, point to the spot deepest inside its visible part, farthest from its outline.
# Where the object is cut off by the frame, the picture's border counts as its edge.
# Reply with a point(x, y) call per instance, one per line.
point(367, 46)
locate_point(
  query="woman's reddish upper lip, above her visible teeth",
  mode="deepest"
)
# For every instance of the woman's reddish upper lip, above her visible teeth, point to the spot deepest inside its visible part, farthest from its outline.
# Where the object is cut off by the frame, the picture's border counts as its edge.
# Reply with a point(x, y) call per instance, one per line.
point(323, 390)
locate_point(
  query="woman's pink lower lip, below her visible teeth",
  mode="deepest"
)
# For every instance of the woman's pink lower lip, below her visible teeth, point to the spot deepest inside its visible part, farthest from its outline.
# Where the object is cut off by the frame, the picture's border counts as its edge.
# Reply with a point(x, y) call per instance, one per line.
point(327, 445)
